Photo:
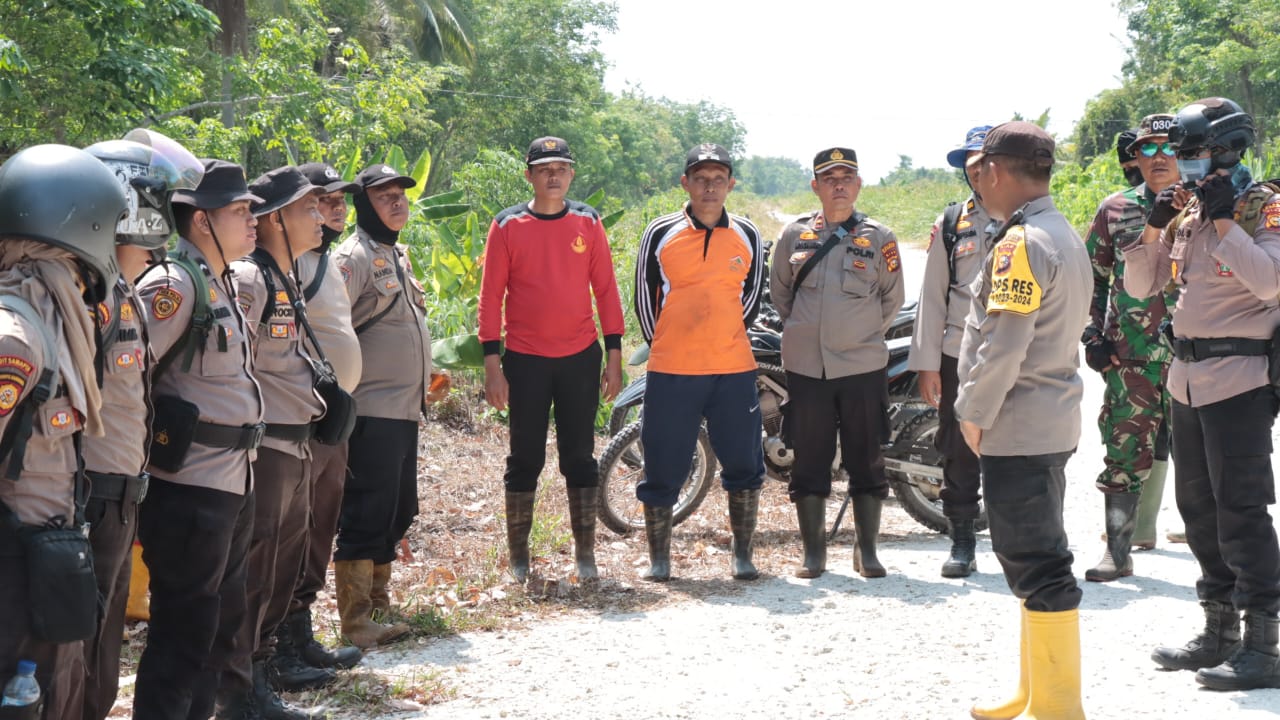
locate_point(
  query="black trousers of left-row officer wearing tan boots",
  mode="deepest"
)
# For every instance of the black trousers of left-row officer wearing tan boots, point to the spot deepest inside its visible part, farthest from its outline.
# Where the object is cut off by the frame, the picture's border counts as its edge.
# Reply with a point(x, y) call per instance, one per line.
point(380, 502)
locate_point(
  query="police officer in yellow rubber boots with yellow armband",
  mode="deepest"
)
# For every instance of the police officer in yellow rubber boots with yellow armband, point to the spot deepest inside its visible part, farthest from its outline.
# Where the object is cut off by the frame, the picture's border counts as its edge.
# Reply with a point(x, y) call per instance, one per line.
point(1020, 407)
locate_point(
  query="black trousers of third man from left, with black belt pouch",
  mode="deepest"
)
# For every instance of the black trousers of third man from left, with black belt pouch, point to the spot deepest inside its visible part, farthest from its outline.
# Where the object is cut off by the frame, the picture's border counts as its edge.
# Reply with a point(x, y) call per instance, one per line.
point(195, 543)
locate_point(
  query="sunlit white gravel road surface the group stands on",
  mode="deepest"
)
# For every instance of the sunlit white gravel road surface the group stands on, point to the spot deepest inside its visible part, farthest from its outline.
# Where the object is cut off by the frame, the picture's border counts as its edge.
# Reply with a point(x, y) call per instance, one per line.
point(912, 646)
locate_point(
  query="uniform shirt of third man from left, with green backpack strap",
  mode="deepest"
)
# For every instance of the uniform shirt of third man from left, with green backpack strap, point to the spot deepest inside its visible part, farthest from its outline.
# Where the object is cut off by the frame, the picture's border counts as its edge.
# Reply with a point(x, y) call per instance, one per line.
point(221, 382)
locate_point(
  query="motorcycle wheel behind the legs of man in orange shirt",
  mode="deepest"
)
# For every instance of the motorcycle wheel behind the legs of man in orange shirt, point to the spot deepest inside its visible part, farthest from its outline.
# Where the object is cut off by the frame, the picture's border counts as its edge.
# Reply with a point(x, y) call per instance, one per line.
point(621, 470)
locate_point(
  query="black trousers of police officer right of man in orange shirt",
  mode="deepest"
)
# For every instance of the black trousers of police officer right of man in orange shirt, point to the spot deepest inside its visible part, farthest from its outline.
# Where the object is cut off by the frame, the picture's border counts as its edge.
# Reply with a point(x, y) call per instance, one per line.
point(854, 407)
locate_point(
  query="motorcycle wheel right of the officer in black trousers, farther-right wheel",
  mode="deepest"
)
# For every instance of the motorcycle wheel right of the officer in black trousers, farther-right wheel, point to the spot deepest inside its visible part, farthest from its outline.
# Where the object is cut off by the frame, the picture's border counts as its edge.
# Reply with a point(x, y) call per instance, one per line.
point(920, 495)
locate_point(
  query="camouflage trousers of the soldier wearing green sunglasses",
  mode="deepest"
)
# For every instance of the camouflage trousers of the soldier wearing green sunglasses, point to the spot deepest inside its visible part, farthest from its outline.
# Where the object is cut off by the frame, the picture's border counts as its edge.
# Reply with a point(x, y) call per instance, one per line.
point(1133, 425)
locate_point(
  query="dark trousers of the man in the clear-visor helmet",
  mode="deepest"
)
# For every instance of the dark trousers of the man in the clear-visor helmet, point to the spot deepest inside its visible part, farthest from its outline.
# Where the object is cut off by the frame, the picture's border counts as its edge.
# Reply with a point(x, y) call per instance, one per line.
point(113, 526)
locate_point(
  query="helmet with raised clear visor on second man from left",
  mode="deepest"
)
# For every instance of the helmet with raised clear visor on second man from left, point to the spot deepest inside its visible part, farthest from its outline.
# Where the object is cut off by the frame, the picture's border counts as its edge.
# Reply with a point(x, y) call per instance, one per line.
point(149, 172)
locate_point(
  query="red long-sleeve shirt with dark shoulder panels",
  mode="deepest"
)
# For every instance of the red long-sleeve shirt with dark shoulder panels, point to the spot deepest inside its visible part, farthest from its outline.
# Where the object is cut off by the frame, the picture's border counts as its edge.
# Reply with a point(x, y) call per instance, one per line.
point(546, 271)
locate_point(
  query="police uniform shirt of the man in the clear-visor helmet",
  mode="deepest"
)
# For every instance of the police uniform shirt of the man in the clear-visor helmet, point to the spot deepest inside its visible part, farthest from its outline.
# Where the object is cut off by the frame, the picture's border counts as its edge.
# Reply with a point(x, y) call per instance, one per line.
point(126, 362)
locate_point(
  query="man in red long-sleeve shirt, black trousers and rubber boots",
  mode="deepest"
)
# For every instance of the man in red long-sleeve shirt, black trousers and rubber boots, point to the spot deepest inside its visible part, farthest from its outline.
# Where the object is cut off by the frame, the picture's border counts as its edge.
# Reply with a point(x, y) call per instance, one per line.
point(545, 261)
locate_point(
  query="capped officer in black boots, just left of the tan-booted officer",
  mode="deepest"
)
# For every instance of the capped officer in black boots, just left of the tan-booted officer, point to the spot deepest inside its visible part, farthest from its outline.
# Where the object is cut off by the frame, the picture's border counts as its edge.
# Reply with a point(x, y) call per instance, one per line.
point(330, 313)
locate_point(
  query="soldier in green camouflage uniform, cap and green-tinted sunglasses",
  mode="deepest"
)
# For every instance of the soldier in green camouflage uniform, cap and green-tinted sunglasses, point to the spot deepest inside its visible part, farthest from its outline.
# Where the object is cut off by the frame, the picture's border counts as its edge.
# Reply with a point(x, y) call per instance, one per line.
point(1126, 345)
